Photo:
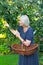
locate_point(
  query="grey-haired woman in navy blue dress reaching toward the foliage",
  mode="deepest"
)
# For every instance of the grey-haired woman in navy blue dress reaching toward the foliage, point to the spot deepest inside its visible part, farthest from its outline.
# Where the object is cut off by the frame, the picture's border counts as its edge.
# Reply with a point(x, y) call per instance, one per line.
point(25, 34)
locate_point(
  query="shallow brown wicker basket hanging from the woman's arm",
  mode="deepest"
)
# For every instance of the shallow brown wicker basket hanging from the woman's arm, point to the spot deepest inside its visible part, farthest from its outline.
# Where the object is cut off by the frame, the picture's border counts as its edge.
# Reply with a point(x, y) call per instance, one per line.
point(24, 50)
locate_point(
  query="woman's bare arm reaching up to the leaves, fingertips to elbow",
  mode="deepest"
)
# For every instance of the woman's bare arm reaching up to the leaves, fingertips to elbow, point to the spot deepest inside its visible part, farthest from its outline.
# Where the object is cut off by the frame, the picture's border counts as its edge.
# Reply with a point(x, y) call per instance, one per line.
point(15, 32)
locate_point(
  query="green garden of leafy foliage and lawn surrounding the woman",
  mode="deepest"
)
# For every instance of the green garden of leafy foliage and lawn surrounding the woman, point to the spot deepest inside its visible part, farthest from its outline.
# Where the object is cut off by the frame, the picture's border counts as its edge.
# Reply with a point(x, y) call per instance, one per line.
point(10, 12)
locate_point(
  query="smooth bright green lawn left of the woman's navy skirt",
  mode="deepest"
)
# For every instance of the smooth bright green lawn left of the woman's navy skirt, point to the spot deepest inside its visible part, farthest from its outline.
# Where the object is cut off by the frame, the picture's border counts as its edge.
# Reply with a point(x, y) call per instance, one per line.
point(9, 60)
